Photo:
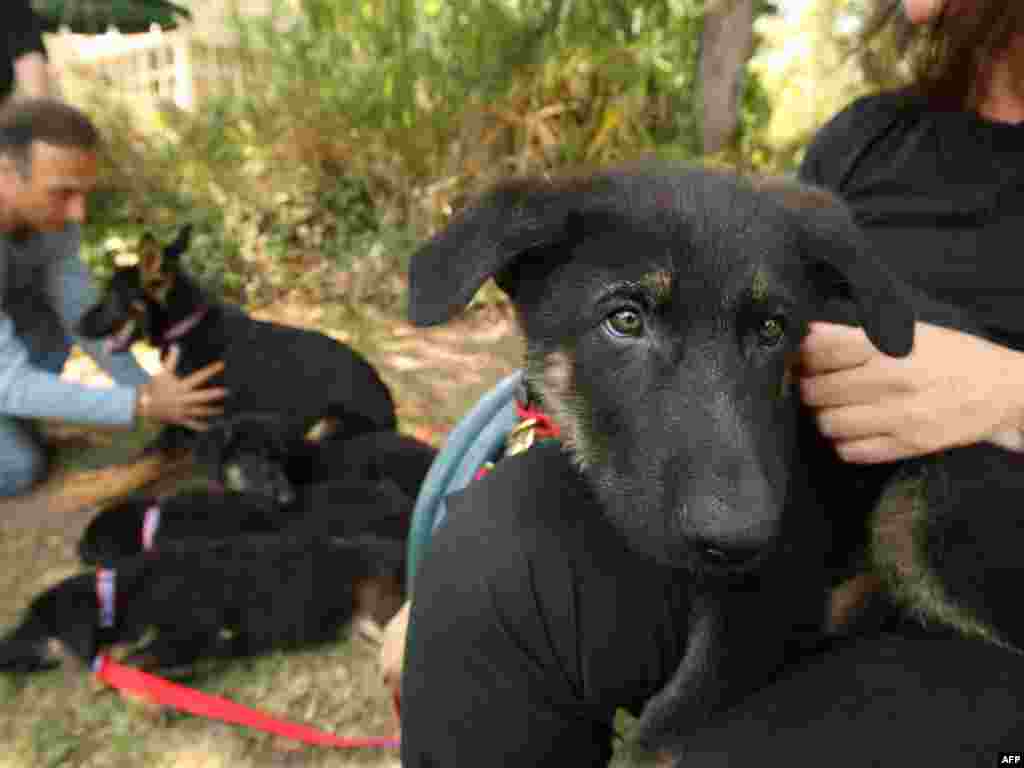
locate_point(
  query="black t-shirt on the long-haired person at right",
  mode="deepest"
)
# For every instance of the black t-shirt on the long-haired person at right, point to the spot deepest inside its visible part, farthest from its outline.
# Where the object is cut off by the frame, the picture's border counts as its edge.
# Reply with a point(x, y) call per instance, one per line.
point(942, 196)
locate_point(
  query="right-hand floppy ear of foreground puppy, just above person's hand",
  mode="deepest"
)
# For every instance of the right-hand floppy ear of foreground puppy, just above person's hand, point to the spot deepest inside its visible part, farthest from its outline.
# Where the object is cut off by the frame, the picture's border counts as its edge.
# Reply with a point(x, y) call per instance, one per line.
point(841, 262)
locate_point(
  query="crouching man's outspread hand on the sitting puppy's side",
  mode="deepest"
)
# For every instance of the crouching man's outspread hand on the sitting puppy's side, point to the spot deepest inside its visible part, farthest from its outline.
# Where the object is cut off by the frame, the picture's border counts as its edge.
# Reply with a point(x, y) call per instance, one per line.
point(185, 401)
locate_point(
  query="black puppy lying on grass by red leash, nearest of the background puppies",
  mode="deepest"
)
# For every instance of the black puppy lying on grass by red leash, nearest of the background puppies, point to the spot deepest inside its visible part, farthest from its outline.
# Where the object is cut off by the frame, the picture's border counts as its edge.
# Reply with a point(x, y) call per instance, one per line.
point(235, 598)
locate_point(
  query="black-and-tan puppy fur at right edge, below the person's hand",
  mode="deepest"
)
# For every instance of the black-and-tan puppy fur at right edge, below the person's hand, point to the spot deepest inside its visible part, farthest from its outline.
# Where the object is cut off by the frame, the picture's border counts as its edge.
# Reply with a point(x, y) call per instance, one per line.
point(947, 538)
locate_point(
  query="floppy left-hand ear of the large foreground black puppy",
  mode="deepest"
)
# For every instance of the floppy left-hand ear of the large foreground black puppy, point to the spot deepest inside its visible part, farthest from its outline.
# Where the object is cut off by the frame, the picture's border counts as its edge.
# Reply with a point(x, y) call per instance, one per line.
point(485, 241)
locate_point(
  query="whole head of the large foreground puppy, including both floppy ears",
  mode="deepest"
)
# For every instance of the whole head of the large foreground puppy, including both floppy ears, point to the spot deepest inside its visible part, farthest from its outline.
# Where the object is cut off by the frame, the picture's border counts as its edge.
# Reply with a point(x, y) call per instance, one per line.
point(663, 313)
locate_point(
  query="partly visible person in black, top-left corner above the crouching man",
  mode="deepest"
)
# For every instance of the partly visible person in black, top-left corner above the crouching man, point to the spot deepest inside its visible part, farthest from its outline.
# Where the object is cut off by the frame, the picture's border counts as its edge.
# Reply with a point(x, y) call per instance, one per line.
point(24, 67)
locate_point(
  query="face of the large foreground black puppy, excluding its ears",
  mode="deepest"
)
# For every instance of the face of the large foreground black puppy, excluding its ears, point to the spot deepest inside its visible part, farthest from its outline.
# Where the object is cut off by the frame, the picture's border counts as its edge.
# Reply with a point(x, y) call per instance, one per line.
point(666, 354)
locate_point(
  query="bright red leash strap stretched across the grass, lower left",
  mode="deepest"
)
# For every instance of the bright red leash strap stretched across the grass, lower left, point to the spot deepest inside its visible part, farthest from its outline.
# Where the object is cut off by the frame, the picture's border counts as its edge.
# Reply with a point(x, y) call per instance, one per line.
point(165, 693)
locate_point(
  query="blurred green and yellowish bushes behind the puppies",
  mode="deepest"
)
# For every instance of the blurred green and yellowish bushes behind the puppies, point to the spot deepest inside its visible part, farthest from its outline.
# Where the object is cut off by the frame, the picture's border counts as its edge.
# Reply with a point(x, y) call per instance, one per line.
point(365, 126)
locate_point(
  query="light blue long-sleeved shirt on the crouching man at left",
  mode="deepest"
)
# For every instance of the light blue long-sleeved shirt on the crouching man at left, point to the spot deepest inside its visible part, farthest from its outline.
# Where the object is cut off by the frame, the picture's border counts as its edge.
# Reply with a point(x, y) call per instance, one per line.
point(45, 290)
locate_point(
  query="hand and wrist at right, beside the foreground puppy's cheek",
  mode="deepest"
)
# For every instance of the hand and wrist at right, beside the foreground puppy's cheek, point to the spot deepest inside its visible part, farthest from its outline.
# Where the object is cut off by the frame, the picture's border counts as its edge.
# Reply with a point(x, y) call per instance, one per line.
point(953, 390)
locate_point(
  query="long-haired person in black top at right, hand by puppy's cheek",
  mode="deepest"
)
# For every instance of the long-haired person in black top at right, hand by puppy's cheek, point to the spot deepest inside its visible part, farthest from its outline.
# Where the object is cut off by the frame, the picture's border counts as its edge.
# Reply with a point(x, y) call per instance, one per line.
point(935, 174)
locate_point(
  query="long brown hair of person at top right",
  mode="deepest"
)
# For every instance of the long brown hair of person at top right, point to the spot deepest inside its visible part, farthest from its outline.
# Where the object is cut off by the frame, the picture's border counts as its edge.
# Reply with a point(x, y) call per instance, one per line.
point(942, 60)
